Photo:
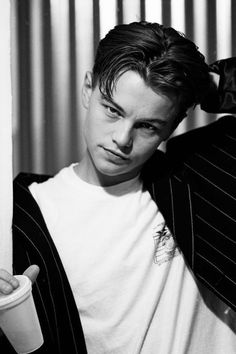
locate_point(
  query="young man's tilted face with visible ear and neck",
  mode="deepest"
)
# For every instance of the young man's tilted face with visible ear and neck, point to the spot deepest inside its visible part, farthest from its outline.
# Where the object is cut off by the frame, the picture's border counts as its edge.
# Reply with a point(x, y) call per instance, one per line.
point(122, 133)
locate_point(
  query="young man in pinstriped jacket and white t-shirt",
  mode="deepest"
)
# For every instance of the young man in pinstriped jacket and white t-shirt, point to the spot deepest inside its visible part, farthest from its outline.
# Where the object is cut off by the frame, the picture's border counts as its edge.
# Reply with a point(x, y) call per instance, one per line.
point(119, 235)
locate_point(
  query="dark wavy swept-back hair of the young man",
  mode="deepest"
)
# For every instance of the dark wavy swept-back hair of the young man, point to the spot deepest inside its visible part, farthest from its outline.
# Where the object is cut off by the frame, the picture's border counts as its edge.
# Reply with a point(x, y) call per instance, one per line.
point(168, 62)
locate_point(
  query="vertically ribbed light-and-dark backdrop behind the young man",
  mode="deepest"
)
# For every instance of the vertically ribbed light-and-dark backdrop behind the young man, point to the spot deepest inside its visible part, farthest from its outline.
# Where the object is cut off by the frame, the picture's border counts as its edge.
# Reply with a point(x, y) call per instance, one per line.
point(53, 44)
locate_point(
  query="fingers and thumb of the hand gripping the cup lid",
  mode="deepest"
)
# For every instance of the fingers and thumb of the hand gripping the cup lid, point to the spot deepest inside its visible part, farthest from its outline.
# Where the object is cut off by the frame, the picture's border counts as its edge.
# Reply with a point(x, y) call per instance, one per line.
point(8, 283)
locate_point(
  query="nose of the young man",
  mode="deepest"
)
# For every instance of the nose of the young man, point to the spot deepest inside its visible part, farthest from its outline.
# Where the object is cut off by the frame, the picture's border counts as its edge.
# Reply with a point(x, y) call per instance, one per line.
point(123, 135)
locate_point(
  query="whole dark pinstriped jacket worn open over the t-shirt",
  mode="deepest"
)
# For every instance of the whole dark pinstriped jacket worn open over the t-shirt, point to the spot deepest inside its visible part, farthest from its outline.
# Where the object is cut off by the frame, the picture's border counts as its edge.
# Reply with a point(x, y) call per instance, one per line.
point(195, 189)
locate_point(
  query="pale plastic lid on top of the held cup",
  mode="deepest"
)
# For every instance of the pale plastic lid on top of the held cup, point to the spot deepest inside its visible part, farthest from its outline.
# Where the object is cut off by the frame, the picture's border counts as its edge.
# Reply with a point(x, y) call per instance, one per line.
point(24, 286)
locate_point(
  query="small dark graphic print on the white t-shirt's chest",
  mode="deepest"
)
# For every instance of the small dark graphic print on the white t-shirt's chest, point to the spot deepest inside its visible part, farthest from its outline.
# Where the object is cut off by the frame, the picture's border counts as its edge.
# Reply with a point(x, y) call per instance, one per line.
point(165, 245)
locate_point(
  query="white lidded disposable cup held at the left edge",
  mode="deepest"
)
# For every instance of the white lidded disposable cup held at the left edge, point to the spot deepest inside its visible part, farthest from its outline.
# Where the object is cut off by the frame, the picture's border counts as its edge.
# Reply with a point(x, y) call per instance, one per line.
point(18, 318)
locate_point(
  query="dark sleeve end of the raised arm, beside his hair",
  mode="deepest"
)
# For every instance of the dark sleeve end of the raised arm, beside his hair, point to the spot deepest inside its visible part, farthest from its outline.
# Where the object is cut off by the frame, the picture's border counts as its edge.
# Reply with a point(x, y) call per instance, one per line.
point(223, 98)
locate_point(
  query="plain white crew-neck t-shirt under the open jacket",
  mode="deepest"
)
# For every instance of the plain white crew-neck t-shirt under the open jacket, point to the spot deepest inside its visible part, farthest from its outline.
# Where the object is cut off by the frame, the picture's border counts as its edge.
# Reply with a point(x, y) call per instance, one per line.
point(132, 288)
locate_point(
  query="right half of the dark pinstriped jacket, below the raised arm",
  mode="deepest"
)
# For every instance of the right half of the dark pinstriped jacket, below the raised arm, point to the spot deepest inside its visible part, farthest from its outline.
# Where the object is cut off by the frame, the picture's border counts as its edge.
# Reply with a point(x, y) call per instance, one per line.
point(203, 196)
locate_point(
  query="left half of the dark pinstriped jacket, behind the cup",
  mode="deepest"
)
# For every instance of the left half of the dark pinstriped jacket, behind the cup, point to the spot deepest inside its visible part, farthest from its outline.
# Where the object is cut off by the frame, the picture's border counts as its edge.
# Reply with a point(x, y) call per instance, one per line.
point(55, 303)
